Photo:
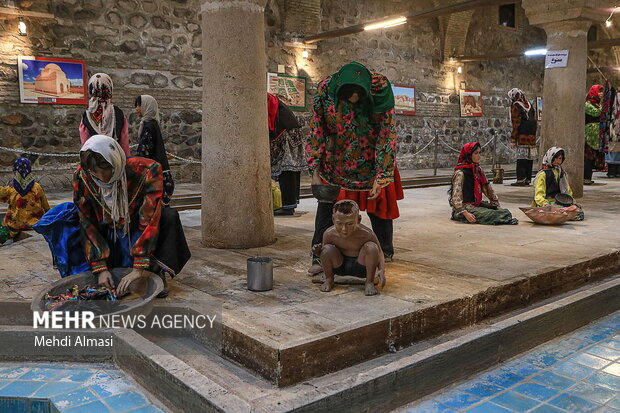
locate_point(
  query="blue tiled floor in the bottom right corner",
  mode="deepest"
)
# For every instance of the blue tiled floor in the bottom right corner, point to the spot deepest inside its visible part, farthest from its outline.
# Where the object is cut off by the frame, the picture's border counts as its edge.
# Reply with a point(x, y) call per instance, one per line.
point(576, 373)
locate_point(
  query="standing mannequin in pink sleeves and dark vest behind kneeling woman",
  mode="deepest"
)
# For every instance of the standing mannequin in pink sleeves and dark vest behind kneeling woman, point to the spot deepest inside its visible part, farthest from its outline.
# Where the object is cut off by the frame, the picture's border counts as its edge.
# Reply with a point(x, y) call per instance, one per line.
point(102, 117)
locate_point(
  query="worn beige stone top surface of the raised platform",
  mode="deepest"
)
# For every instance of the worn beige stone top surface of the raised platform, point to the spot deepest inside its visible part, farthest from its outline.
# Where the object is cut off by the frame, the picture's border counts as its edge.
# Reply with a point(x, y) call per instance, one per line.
point(437, 261)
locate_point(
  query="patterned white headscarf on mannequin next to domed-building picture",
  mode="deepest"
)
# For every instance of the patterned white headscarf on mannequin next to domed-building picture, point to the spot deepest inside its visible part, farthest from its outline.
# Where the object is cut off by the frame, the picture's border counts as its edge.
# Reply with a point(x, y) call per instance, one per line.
point(100, 91)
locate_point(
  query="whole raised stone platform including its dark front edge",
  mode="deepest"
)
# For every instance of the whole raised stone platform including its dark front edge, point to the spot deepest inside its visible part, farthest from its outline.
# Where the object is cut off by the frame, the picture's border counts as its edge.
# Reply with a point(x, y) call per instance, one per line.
point(445, 275)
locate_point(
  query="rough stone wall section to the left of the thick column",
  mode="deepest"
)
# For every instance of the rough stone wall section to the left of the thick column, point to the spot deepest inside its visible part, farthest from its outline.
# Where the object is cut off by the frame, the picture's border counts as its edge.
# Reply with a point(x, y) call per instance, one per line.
point(147, 47)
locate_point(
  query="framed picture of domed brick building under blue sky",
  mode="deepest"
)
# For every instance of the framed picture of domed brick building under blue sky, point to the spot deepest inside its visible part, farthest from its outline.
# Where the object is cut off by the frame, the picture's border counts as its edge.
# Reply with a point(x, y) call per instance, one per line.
point(52, 81)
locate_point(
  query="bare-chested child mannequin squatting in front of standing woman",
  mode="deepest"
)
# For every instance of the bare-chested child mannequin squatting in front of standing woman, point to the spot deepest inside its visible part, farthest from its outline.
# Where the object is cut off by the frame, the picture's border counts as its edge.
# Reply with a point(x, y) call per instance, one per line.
point(350, 248)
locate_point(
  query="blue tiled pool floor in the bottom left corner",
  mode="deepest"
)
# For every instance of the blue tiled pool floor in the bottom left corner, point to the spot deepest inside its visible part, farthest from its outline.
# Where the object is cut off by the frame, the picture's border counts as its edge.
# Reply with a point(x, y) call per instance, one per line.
point(69, 388)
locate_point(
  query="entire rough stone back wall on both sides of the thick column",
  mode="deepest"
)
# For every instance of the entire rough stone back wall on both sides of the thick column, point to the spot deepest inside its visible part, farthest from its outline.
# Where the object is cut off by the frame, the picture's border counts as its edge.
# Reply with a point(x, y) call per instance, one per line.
point(155, 47)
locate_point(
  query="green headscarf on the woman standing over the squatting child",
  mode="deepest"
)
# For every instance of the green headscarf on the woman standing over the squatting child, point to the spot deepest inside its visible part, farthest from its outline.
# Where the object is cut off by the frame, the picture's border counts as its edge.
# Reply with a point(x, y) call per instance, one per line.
point(355, 73)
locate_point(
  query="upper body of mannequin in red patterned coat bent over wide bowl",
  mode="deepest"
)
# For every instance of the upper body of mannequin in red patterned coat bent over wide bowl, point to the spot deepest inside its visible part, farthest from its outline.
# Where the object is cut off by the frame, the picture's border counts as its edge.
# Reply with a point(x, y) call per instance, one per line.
point(119, 205)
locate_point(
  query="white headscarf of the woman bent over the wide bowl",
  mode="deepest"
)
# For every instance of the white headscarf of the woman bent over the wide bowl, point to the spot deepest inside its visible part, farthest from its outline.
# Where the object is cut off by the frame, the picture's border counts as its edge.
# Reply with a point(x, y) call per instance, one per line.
point(114, 192)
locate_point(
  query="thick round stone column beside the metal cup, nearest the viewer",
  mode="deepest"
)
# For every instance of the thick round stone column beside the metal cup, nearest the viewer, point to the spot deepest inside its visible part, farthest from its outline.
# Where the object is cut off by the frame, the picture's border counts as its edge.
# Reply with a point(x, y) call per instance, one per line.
point(236, 175)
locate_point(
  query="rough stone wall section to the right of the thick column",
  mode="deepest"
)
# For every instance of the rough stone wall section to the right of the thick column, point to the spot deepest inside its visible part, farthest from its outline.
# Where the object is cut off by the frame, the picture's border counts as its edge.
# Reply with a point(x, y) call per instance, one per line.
point(412, 54)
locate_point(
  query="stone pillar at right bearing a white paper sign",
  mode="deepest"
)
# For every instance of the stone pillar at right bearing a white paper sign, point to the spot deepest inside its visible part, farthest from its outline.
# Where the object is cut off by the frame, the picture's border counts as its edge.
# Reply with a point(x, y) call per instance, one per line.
point(566, 23)
